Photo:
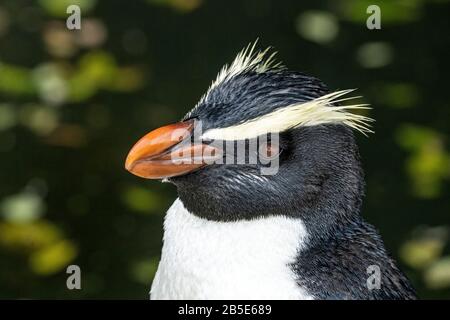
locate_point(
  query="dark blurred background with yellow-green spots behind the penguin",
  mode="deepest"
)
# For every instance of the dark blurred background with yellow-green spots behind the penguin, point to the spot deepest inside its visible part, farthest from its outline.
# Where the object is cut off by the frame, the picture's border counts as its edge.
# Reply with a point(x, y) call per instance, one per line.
point(72, 103)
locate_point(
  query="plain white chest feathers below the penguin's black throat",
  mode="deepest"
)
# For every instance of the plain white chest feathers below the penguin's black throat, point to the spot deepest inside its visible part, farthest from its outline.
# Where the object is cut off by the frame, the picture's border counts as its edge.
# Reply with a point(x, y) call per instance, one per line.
point(204, 259)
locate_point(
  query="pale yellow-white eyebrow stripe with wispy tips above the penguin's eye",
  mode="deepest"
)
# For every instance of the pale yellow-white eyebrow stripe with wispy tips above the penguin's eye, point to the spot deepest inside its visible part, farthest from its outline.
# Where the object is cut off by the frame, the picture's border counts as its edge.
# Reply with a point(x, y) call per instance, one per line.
point(311, 113)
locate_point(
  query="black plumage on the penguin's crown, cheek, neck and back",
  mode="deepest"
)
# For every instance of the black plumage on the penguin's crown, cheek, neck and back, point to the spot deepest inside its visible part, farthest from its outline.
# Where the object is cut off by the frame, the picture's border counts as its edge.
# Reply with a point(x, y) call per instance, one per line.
point(320, 181)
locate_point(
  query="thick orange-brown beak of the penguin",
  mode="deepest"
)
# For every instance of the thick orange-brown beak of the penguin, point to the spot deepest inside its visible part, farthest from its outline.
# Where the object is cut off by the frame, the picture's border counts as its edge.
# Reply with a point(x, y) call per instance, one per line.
point(168, 152)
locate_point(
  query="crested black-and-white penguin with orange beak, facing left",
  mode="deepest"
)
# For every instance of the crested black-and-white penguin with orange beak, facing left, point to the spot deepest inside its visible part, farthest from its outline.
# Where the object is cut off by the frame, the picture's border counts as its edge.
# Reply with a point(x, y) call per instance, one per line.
point(238, 232)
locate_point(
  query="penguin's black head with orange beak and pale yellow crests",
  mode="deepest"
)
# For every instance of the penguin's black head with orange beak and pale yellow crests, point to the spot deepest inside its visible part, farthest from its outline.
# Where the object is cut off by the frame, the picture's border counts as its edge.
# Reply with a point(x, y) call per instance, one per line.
point(262, 141)
